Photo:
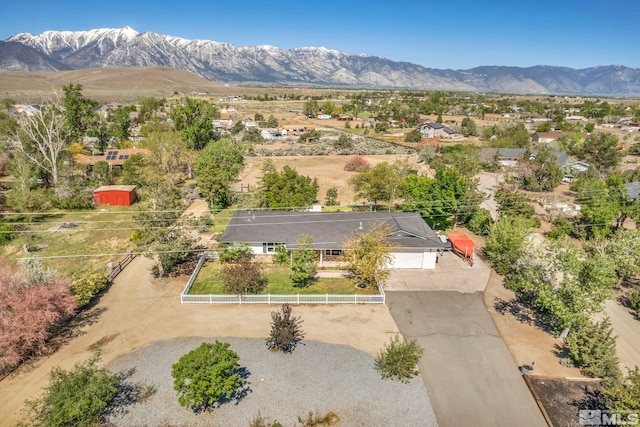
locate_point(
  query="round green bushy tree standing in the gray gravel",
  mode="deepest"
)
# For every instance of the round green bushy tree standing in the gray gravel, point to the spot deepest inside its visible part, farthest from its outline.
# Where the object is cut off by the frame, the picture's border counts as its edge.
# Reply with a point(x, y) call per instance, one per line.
point(206, 374)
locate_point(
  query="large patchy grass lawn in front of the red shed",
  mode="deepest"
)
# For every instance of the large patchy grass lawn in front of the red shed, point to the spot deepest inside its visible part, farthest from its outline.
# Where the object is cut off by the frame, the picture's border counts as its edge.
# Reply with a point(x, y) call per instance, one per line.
point(70, 239)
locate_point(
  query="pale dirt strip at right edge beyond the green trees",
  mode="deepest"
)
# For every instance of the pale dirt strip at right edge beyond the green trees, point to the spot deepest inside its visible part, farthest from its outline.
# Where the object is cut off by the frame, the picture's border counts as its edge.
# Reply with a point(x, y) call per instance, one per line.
point(627, 328)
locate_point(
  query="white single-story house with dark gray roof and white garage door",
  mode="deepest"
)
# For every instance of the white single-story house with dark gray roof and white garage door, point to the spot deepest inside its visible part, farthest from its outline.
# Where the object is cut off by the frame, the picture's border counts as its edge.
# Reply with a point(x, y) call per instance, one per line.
point(264, 231)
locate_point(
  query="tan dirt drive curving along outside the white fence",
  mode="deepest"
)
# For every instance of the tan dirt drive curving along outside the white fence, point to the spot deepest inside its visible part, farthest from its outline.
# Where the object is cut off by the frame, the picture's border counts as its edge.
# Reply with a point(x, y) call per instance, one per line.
point(138, 310)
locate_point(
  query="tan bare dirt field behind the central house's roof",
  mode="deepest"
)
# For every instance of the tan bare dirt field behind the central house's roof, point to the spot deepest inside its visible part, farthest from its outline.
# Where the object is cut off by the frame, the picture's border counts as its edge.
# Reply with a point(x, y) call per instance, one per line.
point(329, 170)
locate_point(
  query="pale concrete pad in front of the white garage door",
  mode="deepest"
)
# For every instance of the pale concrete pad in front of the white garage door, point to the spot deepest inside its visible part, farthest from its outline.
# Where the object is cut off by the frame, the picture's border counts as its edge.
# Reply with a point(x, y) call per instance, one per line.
point(451, 274)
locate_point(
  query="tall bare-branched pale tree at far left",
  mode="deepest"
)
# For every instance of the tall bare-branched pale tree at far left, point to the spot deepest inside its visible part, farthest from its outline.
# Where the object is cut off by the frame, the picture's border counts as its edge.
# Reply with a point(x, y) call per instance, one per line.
point(42, 138)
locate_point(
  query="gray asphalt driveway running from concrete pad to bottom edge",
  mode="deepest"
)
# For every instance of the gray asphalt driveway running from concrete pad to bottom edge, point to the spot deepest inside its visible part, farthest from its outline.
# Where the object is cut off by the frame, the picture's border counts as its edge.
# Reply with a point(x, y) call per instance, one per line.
point(468, 371)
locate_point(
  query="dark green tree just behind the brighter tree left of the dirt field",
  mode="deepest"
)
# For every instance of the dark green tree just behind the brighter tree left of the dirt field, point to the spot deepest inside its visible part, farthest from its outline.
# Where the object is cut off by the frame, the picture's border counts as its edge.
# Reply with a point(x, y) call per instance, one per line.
point(193, 119)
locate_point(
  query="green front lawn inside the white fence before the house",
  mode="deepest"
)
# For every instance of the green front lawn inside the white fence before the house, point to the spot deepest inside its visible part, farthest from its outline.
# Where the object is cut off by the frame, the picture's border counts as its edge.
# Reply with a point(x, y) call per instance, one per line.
point(279, 283)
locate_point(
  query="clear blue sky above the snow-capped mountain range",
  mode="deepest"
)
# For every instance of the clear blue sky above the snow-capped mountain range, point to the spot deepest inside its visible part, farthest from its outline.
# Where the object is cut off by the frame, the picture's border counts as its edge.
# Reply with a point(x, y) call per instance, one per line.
point(458, 34)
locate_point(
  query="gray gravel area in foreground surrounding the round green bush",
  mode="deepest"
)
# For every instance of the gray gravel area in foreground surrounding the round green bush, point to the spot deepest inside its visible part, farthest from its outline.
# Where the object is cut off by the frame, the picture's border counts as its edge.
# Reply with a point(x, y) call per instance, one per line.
point(316, 377)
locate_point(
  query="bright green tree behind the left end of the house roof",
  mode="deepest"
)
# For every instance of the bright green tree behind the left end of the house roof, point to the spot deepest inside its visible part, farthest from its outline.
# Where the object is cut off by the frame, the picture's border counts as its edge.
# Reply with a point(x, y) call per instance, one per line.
point(217, 167)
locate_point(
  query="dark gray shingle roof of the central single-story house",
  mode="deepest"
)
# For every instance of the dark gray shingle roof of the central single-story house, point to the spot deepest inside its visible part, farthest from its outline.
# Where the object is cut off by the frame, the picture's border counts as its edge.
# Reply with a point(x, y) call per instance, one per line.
point(329, 230)
